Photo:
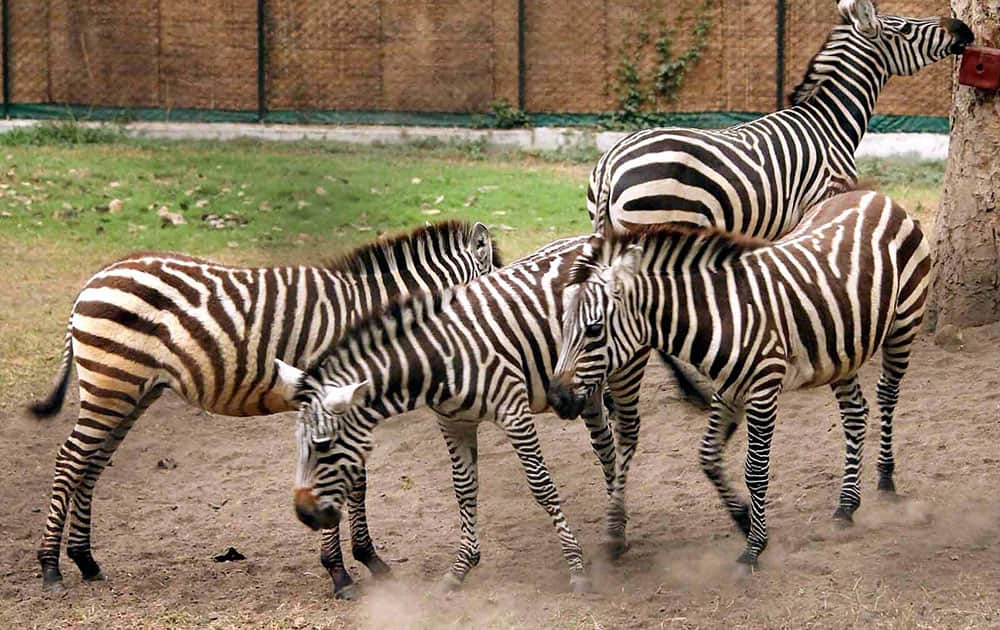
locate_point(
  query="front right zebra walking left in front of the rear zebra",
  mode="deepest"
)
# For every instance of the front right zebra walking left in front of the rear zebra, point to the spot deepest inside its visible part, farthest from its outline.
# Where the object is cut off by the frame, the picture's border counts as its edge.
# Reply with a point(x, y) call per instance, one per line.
point(757, 318)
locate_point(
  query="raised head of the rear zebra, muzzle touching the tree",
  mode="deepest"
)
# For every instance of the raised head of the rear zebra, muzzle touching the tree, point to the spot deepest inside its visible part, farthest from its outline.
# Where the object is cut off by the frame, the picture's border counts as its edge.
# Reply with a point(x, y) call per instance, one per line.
point(905, 45)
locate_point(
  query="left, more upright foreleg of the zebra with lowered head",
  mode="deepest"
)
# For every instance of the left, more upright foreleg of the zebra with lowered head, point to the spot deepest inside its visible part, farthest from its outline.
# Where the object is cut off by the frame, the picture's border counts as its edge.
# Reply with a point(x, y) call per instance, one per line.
point(463, 450)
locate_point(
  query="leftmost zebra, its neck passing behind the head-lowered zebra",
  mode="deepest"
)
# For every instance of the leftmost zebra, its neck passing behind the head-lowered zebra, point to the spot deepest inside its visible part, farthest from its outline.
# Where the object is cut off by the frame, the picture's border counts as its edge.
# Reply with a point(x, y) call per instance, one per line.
point(210, 332)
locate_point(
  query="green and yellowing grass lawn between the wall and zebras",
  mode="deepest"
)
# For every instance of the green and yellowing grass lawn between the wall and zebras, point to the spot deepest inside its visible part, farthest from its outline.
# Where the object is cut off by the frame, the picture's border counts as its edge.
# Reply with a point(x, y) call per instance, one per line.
point(72, 200)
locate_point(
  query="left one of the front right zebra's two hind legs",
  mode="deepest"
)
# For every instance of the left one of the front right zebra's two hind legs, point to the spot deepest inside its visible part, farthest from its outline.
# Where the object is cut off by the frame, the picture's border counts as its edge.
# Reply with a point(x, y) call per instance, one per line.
point(854, 415)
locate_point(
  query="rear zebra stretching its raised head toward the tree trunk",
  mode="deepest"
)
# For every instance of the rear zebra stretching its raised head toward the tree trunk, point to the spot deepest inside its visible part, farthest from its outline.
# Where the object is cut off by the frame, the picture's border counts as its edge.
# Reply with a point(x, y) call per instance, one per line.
point(758, 178)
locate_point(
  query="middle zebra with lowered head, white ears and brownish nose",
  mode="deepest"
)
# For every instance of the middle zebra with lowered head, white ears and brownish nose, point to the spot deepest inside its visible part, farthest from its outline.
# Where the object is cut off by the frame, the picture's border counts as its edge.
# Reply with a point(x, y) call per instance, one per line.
point(480, 352)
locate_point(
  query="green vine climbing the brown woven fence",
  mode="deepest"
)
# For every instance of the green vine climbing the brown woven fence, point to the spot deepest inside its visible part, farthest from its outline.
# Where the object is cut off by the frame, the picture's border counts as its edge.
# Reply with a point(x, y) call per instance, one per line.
point(636, 95)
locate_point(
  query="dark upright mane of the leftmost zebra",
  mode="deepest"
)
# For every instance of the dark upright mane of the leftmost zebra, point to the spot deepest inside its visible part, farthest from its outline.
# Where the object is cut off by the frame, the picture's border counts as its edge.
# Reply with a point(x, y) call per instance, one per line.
point(370, 258)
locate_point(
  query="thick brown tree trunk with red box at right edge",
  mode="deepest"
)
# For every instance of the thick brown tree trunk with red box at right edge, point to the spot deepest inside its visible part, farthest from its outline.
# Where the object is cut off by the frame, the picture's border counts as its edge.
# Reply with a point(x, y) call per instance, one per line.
point(966, 291)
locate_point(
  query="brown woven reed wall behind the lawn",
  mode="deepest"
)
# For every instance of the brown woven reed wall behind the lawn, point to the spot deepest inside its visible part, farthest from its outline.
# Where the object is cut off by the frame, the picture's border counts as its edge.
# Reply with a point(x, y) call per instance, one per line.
point(419, 55)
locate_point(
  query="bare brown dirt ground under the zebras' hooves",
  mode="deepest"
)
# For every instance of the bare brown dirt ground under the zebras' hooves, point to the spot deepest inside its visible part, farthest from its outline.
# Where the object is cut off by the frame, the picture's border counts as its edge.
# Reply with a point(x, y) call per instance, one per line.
point(931, 560)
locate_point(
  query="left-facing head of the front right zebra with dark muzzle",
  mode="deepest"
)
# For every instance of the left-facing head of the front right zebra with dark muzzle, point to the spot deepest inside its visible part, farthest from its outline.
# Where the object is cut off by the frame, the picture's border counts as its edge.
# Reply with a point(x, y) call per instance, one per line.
point(596, 336)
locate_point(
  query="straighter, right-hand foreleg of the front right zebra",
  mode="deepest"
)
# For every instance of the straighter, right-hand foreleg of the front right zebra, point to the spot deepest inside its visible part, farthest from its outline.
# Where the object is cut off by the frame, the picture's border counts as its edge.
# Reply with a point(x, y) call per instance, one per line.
point(761, 414)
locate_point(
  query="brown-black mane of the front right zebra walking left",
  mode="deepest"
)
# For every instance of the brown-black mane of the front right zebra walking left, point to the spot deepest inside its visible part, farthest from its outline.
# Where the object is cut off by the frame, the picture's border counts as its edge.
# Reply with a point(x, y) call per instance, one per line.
point(709, 244)
